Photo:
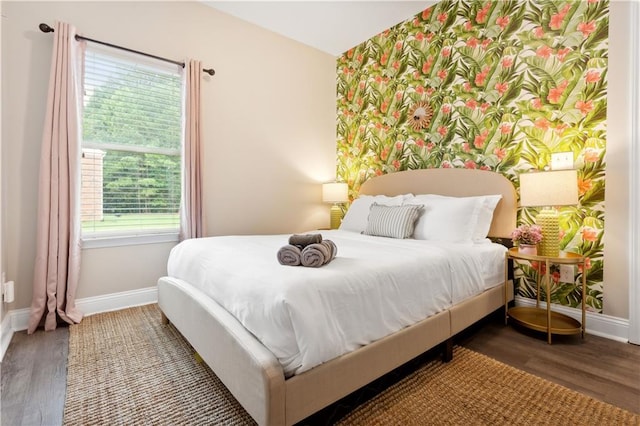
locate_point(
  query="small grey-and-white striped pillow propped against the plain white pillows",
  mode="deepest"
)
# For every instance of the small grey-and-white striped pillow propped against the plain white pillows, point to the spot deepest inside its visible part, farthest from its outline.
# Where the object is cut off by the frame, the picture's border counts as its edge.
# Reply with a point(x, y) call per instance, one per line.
point(392, 221)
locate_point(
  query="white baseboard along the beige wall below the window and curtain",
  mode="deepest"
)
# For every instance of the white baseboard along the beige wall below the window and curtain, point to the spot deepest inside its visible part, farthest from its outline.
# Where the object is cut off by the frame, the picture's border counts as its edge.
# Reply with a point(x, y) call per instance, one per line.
point(18, 319)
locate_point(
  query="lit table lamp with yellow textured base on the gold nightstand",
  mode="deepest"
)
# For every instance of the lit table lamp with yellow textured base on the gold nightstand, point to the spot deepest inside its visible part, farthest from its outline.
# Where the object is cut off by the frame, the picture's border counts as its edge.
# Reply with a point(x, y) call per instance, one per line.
point(549, 189)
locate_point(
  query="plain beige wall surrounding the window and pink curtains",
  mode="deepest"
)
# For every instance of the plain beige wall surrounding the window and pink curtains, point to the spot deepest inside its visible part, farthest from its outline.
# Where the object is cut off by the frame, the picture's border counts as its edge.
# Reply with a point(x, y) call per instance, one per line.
point(268, 125)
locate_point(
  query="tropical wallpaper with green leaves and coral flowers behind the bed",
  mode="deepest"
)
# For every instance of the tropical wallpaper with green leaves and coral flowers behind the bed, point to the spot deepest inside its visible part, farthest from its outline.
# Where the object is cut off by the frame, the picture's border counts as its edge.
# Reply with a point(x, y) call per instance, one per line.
point(503, 85)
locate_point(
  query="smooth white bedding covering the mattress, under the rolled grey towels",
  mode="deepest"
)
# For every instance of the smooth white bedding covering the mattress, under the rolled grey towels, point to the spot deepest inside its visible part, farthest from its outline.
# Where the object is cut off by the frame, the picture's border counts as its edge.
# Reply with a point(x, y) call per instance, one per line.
point(306, 316)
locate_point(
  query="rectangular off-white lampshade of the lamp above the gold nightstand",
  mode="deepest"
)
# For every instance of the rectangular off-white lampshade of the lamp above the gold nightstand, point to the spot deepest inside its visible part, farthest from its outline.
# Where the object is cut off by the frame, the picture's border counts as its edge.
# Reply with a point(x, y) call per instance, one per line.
point(553, 188)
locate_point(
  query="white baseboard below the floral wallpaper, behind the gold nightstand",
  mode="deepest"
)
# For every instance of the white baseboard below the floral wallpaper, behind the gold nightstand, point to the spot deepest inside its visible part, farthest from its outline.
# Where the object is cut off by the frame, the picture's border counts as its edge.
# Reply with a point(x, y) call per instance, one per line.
point(613, 328)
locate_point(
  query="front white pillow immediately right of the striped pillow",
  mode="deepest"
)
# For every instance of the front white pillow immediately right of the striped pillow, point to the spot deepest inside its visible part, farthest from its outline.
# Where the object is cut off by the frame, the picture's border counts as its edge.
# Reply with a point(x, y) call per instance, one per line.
point(451, 219)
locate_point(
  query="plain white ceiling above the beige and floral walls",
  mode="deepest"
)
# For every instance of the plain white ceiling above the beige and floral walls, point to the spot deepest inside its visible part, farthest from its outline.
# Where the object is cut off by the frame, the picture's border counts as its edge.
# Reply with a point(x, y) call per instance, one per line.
point(331, 26)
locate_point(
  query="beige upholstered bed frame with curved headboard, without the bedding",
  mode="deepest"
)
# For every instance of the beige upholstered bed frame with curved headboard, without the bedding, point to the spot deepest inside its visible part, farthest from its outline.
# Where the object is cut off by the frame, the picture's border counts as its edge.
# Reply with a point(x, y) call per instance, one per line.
point(252, 373)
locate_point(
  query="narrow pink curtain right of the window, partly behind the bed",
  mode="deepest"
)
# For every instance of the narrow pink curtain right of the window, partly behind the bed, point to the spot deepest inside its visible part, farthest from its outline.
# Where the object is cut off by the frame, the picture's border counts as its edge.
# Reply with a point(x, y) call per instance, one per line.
point(191, 220)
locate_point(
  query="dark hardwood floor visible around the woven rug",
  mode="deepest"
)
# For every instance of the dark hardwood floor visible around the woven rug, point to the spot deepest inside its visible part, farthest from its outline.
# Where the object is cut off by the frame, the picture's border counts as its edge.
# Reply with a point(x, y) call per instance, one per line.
point(34, 369)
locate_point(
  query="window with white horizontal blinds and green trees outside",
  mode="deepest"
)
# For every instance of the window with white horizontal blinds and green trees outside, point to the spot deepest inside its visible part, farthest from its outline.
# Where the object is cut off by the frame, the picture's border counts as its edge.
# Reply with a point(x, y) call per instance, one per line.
point(131, 148)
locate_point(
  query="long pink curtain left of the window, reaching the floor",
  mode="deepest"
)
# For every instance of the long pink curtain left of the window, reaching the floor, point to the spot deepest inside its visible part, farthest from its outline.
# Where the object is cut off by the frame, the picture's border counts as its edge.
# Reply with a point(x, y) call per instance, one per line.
point(57, 264)
